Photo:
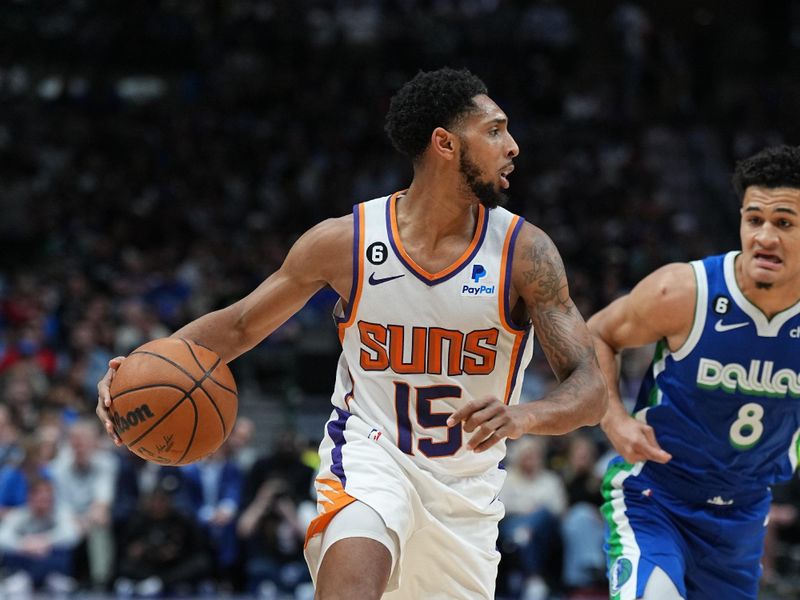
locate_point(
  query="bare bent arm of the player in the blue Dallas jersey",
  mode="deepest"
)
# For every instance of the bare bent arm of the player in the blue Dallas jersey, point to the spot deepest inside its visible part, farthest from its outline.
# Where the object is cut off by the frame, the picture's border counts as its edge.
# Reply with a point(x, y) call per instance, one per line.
point(661, 306)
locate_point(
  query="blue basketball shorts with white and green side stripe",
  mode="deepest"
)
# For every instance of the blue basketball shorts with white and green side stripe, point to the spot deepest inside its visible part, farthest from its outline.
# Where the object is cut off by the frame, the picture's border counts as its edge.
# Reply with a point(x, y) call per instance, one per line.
point(710, 547)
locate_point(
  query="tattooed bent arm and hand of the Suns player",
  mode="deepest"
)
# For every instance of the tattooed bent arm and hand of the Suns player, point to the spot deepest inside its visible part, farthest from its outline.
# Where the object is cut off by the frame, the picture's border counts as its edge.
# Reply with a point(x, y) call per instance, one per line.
point(539, 280)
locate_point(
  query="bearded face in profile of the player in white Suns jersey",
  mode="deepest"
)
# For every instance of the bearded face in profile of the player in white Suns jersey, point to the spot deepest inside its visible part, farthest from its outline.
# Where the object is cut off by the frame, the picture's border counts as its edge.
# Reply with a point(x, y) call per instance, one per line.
point(487, 152)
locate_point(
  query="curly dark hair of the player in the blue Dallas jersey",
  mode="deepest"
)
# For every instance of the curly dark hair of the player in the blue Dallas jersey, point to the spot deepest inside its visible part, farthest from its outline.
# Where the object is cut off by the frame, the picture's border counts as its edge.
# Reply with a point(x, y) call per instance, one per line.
point(778, 166)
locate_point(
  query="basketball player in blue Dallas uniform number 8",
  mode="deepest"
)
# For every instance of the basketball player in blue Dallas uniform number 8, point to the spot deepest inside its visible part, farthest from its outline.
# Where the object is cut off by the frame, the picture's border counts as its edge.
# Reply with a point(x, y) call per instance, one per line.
point(717, 420)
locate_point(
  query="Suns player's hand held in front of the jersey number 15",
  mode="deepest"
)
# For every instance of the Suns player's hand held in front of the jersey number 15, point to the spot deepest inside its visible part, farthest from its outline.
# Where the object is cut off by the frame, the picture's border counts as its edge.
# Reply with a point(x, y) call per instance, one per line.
point(489, 420)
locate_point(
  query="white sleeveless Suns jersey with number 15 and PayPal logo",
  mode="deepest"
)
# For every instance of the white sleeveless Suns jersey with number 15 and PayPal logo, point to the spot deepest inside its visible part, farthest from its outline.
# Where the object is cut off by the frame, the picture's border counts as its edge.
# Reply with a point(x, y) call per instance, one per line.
point(417, 345)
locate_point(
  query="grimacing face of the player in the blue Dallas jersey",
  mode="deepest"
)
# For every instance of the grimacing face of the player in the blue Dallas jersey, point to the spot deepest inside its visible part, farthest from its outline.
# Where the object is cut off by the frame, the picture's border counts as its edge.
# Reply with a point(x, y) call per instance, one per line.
point(770, 232)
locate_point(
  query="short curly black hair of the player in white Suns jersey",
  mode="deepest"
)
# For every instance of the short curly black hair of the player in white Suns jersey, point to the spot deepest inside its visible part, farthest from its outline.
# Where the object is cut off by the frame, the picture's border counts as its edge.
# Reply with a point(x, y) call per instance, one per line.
point(431, 99)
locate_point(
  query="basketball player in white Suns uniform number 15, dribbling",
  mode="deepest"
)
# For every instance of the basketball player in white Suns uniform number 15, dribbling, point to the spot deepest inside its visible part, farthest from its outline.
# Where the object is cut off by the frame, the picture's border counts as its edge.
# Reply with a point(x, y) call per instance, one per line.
point(440, 291)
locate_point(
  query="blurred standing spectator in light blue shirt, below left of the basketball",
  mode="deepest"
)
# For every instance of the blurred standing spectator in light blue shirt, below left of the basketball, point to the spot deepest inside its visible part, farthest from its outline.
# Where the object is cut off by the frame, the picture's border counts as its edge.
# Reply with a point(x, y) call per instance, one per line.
point(84, 473)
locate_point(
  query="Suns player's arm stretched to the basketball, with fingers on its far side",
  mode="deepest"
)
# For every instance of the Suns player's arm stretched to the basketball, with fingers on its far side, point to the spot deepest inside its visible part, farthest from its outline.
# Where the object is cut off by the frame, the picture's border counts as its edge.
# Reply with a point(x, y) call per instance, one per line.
point(322, 256)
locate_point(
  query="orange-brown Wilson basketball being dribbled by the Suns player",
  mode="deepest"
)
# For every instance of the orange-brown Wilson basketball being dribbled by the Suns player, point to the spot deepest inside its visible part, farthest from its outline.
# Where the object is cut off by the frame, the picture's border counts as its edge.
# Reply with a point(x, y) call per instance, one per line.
point(173, 401)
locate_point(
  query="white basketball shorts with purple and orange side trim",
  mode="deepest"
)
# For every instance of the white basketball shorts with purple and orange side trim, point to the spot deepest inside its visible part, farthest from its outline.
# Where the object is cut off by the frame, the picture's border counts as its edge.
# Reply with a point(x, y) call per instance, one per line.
point(445, 527)
